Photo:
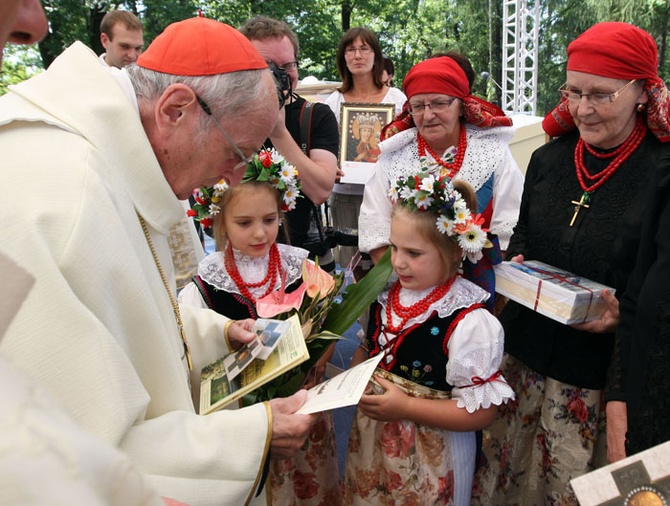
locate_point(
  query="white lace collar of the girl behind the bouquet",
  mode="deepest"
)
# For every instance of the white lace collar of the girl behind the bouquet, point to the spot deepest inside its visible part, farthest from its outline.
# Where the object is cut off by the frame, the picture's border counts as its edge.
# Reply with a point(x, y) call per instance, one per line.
point(252, 269)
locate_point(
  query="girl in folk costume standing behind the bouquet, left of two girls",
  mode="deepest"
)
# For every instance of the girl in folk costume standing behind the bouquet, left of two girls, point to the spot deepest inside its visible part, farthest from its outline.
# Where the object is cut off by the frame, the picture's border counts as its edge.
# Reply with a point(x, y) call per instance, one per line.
point(248, 265)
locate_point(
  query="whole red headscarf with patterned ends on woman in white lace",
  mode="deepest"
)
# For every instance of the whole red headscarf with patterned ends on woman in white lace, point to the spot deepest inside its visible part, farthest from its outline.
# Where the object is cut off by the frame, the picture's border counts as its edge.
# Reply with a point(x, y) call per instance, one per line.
point(443, 75)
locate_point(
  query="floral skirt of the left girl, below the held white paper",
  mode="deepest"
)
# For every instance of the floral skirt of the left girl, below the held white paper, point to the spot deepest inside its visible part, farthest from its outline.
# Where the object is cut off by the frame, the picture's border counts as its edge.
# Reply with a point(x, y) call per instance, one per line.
point(312, 477)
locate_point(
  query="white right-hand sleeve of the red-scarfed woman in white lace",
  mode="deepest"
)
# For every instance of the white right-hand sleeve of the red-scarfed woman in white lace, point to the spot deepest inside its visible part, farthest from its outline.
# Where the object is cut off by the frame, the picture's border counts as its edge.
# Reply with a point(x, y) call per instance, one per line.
point(507, 191)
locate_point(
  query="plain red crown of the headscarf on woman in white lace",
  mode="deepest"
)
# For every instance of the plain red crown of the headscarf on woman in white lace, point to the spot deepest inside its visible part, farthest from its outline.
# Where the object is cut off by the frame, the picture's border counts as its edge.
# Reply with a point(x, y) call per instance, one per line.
point(437, 75)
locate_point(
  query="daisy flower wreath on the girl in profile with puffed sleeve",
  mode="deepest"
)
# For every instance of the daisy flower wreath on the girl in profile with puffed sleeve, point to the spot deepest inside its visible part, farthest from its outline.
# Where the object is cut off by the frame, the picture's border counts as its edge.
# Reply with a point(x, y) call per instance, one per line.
point(426, 192)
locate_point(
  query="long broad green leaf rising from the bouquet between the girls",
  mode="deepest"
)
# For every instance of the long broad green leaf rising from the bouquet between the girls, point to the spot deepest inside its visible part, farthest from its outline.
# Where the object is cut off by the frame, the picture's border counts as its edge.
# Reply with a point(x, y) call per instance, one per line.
point(358, 297)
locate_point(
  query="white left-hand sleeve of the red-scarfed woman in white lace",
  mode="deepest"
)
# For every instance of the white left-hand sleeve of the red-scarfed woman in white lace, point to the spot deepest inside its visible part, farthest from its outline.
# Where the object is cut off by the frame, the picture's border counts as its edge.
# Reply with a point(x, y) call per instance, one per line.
point(374, 220)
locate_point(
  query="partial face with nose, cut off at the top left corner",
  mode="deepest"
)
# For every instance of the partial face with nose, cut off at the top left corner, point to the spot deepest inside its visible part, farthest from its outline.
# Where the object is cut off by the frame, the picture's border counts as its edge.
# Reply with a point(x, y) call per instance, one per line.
point(21, 22)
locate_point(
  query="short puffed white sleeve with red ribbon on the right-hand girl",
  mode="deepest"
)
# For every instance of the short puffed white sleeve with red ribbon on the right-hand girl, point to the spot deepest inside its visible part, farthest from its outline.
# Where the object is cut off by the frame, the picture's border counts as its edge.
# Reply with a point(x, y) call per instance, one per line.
point(475, 353)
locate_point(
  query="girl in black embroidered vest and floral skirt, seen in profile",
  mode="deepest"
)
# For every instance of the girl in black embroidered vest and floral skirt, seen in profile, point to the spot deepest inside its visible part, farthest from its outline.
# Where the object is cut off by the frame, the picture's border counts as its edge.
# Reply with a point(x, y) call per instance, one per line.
point(413, 439)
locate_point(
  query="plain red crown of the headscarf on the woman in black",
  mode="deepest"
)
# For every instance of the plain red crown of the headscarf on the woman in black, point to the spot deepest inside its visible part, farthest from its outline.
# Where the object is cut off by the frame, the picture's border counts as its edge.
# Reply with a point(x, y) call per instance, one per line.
point(615, 50)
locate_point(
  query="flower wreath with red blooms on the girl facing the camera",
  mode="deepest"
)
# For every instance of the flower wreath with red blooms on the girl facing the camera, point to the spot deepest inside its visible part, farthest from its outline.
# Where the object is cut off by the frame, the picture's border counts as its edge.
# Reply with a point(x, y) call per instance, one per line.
point(266, 166)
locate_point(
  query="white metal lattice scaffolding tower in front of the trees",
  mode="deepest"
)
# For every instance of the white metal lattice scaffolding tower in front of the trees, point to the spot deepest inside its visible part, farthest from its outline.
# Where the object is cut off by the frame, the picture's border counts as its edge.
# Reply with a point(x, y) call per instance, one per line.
point(521, 20)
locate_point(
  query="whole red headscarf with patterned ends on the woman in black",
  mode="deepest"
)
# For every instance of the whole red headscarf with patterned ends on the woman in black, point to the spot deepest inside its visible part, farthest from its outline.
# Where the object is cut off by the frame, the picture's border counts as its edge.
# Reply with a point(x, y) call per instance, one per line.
point(618, 51)
